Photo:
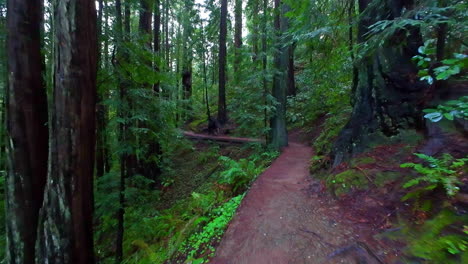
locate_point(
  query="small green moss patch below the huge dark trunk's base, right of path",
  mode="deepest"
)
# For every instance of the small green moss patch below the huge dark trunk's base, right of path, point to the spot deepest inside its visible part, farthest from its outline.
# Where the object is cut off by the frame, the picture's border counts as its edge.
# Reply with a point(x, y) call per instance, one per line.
point(347, 181)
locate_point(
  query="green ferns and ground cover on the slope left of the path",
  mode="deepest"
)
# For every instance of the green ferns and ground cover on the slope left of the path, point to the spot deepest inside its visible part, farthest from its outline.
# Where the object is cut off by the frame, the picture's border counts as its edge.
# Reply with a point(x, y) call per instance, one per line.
point(183, 219)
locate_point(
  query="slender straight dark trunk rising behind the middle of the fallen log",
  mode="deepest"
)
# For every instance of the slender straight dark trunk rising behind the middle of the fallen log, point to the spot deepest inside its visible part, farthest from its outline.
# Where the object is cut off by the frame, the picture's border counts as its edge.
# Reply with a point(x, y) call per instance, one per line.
point(222, 111)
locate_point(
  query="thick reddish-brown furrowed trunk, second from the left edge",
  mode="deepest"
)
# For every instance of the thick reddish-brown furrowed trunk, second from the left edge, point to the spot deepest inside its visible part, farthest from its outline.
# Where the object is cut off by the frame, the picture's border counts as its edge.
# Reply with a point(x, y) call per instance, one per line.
point(65, 233)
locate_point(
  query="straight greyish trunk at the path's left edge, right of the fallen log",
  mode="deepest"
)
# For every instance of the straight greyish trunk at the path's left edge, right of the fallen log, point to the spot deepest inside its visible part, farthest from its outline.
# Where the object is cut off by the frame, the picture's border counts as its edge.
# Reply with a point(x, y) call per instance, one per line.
point(279, 134)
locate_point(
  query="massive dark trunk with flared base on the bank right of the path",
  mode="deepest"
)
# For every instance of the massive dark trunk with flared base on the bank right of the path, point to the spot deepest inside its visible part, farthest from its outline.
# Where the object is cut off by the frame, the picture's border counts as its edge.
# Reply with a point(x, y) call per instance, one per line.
point(388, 95)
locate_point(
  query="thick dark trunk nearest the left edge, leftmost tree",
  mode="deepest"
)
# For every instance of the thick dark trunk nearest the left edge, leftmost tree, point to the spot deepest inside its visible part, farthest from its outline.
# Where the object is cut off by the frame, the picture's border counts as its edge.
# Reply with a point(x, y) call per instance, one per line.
point(27, 128)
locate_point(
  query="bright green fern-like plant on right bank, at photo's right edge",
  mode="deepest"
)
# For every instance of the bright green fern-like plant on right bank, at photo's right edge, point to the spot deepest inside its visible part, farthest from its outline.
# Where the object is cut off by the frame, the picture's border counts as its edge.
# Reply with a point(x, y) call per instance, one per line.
point(443, 172)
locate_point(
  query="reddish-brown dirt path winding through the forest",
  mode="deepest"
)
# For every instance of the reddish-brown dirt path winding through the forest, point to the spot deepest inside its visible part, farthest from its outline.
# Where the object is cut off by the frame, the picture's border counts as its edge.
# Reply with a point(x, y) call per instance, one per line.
point(283, 219)
